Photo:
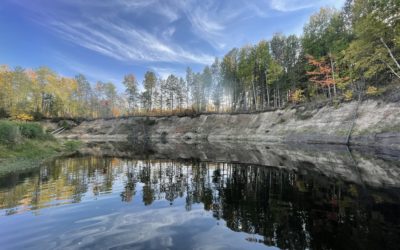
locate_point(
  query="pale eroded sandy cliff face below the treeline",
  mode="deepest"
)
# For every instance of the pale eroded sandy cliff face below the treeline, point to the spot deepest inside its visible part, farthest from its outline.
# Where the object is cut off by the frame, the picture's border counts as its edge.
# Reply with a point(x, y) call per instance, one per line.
point(377, 124)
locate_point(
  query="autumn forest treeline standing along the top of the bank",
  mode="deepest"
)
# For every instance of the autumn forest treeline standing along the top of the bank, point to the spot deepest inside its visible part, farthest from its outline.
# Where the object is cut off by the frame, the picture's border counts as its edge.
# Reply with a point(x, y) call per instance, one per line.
point(340, 55)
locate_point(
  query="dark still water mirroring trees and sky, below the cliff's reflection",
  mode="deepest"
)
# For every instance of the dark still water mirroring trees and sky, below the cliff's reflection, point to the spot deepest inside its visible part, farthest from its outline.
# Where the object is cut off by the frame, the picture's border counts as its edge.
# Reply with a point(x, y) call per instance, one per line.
point(103, 202)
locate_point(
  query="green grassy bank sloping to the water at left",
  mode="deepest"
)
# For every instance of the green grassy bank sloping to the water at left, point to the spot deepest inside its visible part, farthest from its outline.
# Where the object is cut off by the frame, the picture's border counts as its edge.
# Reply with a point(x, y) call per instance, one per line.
point(25, 144)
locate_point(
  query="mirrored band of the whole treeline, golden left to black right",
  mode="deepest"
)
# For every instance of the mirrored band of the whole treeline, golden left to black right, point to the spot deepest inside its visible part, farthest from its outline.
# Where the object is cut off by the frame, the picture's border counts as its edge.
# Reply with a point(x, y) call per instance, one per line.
point(279, 206)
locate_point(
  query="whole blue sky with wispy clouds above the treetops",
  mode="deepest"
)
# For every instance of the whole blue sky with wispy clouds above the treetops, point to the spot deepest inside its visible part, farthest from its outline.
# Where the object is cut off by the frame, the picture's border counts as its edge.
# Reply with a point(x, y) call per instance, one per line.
point(106, 39)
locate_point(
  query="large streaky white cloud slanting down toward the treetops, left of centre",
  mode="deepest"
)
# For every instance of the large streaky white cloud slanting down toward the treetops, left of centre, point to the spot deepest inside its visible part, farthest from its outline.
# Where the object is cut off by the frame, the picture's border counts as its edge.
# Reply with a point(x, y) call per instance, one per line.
point(124, 42)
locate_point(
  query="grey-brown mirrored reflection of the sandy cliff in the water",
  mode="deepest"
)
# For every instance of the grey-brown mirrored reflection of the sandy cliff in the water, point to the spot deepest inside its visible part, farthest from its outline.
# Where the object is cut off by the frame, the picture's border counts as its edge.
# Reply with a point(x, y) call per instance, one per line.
point(364, 166)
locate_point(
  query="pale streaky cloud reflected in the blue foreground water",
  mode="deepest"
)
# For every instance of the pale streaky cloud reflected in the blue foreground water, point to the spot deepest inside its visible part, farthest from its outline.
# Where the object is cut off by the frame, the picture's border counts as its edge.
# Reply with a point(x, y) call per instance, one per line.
point(121, 229)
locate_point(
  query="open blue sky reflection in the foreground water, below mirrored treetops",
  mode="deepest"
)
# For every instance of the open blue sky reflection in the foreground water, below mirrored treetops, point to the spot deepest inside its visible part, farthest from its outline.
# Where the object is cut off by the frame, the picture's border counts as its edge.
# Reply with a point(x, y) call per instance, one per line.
point(108, 223)
